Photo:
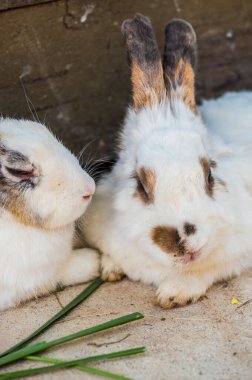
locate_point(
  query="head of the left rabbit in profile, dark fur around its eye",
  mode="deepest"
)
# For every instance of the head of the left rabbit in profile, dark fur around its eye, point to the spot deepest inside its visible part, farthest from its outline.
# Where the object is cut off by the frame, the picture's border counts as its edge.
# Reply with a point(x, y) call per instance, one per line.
point(41, 182)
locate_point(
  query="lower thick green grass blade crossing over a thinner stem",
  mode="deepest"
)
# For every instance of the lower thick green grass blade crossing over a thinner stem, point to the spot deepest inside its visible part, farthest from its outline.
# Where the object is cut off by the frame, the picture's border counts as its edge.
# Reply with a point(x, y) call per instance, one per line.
point(72, 363)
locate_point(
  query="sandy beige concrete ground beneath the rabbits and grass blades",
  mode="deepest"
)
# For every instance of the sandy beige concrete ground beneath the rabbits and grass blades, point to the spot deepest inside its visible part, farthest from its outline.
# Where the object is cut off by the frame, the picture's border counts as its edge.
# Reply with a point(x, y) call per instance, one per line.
point(208, 340)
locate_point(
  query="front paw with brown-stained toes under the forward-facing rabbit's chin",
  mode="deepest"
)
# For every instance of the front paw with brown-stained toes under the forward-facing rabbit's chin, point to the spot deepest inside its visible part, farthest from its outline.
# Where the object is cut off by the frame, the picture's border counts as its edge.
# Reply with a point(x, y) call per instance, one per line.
point(174, 293)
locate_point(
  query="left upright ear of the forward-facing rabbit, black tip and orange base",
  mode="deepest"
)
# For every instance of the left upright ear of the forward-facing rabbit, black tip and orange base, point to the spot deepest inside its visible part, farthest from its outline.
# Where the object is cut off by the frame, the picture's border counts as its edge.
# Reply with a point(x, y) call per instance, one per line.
point(147, 72)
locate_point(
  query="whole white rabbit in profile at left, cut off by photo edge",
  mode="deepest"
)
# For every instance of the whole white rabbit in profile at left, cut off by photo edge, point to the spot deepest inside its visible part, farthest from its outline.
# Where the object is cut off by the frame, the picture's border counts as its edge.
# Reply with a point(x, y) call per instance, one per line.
point(43, 190)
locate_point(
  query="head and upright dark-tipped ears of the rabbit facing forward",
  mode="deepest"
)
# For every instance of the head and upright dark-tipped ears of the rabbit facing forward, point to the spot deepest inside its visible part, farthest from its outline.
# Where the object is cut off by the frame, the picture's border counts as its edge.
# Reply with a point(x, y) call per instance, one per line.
point(166, 185)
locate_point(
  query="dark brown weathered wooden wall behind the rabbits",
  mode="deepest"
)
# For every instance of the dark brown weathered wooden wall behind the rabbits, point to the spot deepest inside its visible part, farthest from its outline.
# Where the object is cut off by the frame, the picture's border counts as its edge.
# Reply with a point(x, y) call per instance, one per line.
point(71, 59)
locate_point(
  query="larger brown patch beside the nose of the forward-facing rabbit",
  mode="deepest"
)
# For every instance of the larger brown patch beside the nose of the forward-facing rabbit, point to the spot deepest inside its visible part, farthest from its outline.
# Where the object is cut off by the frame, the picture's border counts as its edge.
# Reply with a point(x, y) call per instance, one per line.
point(168, 239)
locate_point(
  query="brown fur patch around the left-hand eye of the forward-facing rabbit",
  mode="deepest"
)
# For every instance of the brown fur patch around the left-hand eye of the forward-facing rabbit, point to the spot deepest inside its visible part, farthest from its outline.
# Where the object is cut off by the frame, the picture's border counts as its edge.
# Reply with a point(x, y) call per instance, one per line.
point(146, 179)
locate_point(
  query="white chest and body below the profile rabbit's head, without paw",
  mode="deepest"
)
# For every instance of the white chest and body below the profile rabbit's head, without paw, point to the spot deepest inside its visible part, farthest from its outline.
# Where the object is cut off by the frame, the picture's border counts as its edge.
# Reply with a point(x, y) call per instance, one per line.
point(31, 259)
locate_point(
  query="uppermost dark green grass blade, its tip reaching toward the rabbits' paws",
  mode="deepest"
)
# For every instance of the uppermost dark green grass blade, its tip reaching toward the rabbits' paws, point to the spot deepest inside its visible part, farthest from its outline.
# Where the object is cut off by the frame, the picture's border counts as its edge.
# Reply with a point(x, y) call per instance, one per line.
point(75, 302)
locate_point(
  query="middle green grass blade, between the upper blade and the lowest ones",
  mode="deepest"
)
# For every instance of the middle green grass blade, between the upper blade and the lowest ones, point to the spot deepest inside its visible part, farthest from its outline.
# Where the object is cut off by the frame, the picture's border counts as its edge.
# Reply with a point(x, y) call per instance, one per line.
point(26, 351)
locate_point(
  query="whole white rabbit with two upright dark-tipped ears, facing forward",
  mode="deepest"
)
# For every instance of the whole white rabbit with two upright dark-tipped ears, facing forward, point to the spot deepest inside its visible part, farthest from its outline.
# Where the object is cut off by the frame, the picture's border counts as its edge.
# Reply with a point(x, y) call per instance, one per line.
point(176, 210)
